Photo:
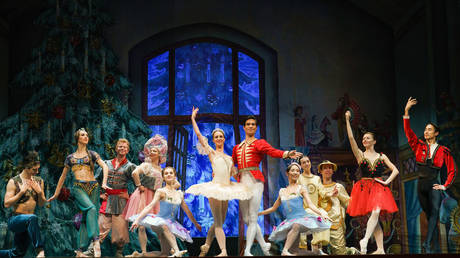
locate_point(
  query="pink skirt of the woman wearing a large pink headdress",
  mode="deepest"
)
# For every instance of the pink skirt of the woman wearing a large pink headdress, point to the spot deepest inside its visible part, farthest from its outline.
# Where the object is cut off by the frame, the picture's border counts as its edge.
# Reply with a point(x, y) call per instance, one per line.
point(137, 202)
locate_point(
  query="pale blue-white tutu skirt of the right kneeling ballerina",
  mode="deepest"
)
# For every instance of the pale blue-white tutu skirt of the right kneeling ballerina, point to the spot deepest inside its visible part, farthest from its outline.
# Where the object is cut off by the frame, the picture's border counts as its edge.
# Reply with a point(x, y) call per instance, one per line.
point(309, 224)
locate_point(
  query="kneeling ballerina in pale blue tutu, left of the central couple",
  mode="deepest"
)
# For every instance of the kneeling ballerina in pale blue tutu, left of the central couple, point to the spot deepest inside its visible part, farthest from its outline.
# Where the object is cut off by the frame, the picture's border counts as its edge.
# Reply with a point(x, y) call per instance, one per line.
point(164, 223)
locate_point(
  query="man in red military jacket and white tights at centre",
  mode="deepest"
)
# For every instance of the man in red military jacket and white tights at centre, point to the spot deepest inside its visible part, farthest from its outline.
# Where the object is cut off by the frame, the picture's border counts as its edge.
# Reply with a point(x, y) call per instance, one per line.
point(247, 156)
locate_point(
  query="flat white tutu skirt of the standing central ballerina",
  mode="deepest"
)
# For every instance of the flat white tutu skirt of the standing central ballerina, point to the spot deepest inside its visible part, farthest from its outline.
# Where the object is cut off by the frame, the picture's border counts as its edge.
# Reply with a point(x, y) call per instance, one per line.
point(221, 192)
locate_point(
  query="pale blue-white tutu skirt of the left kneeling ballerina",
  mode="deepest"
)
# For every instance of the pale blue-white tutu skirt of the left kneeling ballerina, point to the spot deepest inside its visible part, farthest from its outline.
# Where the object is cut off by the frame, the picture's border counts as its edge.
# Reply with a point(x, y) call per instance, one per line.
point(152, 220)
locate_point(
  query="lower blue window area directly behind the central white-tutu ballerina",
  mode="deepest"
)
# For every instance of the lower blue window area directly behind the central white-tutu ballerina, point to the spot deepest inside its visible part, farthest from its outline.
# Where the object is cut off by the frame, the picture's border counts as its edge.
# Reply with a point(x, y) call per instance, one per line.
point(199, 171)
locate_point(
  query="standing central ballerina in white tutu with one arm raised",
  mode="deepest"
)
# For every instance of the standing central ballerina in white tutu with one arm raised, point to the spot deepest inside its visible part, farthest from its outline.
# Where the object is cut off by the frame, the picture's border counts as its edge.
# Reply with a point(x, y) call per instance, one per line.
point(220, 189)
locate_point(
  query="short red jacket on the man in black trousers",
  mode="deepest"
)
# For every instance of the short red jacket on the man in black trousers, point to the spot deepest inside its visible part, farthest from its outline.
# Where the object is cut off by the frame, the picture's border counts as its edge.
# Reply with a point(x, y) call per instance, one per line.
point(441, 156)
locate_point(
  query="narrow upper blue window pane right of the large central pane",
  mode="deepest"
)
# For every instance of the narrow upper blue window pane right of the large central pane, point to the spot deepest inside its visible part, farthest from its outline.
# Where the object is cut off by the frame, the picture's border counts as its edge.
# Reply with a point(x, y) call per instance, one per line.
point(248, 83)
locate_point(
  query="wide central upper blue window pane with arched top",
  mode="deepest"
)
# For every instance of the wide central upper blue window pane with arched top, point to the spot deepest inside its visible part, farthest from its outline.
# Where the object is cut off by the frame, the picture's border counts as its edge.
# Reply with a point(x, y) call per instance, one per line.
point(203, 78)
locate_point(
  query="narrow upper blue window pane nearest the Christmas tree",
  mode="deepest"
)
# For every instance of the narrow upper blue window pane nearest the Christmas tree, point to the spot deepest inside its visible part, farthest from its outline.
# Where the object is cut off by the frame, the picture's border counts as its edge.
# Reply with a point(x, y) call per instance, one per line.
point(158, 85)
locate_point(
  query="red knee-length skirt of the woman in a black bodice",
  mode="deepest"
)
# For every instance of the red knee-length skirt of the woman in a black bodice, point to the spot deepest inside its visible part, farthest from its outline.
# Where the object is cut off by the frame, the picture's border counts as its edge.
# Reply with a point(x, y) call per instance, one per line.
point(368, 195)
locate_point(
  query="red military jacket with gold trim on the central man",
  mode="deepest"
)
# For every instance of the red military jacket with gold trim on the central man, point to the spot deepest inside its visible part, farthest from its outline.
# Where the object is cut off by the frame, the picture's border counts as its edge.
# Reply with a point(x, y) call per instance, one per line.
point(250, 154)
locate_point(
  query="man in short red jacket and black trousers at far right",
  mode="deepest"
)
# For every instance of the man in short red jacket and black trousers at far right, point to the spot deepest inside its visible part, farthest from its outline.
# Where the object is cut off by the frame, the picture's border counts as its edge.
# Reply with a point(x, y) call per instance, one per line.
point(430, 157)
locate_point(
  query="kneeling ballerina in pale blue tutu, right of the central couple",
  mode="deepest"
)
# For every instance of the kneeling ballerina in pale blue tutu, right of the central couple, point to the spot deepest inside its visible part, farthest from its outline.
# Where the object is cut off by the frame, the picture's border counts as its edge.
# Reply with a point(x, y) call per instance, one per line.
point(297, 219)
